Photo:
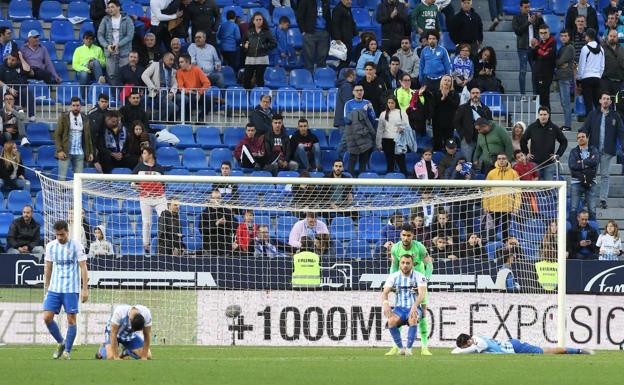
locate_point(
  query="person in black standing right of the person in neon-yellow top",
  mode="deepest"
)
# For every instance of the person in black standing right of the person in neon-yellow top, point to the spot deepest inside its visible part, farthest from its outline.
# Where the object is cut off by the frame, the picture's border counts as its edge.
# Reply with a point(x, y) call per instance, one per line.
point(445, 103)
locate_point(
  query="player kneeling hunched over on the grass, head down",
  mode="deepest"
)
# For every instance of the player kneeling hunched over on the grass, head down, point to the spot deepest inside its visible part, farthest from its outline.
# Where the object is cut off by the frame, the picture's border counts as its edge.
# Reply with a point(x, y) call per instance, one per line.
point(122, 328)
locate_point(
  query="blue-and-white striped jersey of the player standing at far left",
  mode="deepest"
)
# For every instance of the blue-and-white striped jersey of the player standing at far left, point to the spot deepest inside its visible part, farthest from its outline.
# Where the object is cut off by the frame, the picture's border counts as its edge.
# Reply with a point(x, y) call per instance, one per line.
point(65, 269)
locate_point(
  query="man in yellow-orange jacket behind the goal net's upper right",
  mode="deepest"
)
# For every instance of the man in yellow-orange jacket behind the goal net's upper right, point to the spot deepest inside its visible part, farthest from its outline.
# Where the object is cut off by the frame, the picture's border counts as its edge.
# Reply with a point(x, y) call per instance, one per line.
point(501, 206)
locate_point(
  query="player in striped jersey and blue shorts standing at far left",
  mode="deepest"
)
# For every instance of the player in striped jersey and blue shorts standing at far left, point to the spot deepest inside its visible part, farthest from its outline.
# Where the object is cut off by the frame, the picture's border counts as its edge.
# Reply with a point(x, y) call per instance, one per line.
point(65, 267)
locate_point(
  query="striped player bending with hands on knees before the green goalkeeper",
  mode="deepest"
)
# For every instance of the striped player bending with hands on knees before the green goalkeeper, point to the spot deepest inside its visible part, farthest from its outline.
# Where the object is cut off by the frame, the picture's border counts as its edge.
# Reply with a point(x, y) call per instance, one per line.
point(407, 309)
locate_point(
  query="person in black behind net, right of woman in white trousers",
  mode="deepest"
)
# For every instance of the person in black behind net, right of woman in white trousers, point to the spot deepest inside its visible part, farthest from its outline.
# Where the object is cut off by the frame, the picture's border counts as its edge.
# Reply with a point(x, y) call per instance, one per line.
point(170, 237)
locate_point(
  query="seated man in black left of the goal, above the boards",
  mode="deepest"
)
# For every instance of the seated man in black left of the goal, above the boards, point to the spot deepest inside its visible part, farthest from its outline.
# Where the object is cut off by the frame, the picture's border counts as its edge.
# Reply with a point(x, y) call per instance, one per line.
point(24, 235)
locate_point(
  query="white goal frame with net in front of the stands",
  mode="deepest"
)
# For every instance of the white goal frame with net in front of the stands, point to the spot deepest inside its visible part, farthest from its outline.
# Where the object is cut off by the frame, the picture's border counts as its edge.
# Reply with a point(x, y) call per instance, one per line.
point(232, 260)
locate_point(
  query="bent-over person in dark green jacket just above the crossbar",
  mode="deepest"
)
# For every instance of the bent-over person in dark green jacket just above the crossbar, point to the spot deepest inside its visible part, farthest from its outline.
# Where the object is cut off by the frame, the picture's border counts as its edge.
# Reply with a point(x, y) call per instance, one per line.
point(492, 140)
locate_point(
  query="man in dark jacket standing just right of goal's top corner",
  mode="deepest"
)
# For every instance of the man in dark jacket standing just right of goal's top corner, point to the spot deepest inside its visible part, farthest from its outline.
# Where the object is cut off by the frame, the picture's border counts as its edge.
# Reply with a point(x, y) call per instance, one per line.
point(583, 161)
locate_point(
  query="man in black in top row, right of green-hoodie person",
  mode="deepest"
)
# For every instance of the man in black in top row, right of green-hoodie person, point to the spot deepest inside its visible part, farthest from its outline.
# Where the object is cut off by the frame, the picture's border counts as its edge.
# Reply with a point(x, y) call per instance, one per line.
point(466, 27)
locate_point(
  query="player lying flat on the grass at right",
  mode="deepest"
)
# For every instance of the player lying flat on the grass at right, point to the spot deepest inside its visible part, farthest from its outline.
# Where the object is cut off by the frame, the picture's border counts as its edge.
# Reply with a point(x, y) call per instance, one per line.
point(480, 344)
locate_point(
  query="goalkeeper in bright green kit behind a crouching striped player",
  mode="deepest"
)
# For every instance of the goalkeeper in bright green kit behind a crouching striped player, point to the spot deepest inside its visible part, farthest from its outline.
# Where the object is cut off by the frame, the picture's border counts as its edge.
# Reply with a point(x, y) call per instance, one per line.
point(423, 264)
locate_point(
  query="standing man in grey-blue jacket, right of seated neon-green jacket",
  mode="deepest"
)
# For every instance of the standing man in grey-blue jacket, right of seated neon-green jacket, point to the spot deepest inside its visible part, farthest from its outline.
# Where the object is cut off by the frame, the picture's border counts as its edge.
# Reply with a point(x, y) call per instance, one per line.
point(115, 36)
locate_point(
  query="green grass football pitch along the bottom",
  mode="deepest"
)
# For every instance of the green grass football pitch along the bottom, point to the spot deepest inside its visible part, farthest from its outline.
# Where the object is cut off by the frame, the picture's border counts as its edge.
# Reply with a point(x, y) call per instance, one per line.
point(32, 364)
